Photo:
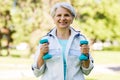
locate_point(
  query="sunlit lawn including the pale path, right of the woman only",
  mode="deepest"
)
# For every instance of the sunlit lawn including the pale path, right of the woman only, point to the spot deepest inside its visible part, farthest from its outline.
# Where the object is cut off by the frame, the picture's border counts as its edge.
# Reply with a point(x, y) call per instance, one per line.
point(110, 66)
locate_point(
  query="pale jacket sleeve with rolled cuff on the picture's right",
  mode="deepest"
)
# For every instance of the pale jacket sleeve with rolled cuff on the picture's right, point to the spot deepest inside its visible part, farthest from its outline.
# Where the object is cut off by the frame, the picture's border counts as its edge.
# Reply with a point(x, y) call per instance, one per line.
point(86, 71)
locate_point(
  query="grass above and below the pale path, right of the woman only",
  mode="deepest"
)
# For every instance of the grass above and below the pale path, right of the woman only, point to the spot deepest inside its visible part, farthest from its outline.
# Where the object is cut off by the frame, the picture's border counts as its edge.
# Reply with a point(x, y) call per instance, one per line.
point(105, 58)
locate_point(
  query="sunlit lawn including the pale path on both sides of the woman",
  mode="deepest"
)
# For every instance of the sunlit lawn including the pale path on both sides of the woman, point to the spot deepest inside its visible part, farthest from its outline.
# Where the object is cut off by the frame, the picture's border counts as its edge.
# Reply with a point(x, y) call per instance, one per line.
point(107, 67)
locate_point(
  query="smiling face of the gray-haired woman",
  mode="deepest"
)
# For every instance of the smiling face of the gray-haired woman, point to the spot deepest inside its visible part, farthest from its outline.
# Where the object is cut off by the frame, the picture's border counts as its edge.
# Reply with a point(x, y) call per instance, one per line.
point(63, 18)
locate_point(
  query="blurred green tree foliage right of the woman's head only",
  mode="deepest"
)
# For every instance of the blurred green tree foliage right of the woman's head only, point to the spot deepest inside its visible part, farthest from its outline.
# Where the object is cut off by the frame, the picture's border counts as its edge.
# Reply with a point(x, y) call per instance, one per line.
point(98, 17)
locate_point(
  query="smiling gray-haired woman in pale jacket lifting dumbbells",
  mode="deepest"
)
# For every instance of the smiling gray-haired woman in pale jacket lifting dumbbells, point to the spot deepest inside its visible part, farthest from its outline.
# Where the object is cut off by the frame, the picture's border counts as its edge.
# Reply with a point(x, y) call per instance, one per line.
point(64, 49)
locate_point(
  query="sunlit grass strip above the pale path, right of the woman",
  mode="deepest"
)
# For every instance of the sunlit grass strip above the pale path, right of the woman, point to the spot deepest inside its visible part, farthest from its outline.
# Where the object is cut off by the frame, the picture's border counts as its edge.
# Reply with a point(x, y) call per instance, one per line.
point(106, 57)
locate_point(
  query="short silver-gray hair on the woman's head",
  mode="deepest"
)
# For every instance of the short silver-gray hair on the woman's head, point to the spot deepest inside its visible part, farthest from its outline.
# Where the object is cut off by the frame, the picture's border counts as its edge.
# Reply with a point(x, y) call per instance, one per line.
point(64, 5)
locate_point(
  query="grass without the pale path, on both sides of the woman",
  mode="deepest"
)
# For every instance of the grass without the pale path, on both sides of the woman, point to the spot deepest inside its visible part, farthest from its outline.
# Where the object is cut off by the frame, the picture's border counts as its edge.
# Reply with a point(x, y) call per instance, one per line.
point(100, 58)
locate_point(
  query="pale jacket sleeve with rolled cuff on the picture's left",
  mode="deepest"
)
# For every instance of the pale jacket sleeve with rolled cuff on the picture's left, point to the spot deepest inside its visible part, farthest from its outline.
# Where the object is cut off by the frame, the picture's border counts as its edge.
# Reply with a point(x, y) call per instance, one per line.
point(37, 71)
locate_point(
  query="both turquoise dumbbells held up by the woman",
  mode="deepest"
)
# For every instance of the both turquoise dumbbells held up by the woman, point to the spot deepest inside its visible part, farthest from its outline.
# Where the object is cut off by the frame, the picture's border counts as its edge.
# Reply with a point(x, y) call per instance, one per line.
point(82, 57)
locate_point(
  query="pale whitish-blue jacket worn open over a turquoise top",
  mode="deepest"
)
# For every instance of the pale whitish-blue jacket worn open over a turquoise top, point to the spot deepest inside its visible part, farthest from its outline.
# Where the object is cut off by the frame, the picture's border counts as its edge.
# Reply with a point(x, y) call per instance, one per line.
point(53, 69)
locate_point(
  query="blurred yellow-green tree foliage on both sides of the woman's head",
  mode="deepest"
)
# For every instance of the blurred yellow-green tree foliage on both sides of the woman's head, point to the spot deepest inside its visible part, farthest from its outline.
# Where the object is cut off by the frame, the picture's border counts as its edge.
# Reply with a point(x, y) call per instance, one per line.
point(97, 19)
